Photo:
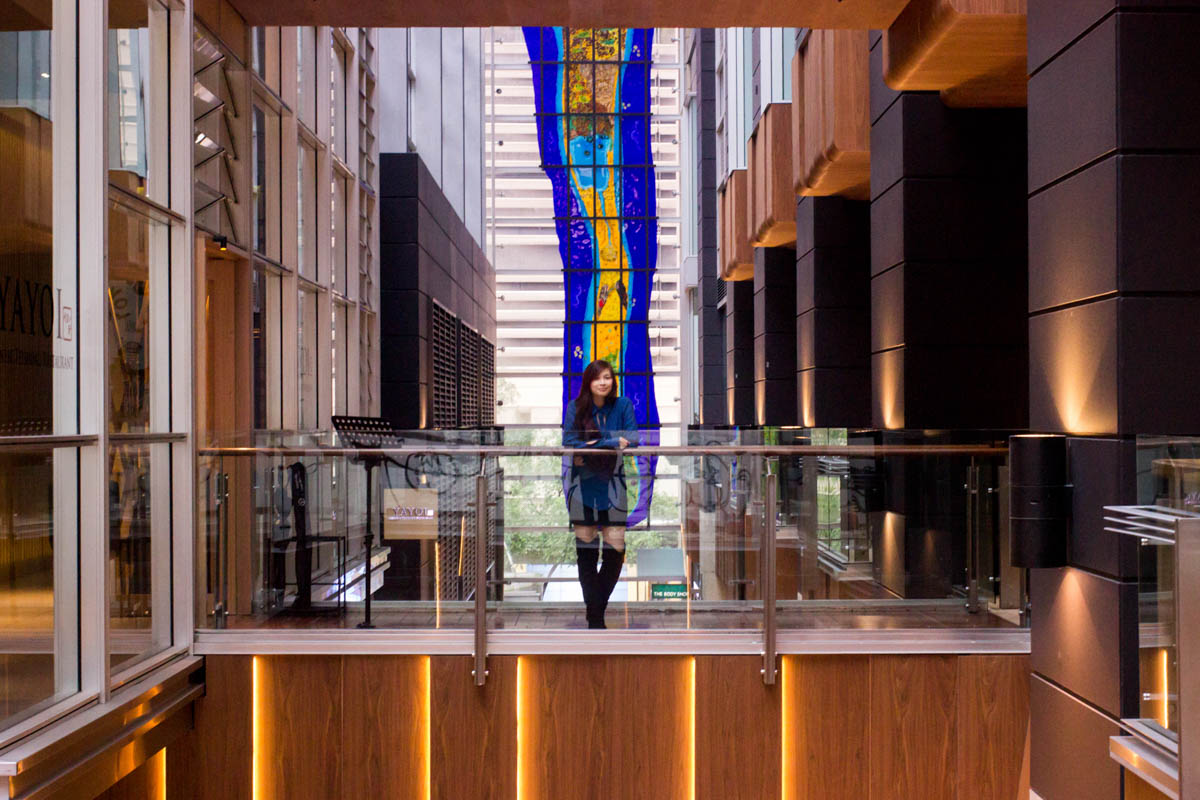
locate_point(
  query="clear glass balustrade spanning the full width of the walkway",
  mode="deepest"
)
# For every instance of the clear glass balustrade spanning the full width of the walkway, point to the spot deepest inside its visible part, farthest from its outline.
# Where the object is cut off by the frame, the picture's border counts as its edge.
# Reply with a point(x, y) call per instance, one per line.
point(887, 531)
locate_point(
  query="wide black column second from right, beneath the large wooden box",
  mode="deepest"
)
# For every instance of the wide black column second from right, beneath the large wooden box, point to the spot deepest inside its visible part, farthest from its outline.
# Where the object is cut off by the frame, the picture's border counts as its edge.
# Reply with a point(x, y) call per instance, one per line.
point(949, 276)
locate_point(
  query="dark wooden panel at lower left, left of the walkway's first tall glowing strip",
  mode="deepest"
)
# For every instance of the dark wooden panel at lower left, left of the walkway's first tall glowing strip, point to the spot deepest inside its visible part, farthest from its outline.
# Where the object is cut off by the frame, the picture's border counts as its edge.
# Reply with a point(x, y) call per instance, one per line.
point(221, 744)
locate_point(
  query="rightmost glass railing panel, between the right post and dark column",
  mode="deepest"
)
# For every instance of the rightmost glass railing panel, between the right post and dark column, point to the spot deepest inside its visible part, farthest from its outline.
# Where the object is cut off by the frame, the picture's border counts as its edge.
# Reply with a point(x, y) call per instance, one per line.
point(892, 531)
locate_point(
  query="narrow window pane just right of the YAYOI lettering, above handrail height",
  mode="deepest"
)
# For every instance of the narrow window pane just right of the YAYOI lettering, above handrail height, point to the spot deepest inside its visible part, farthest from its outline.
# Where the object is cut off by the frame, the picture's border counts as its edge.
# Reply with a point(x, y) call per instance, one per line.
point(139, 249)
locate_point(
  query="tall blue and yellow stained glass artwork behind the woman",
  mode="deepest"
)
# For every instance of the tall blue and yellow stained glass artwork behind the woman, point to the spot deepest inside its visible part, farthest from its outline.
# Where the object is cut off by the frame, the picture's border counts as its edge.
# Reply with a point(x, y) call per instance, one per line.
point(592, 94)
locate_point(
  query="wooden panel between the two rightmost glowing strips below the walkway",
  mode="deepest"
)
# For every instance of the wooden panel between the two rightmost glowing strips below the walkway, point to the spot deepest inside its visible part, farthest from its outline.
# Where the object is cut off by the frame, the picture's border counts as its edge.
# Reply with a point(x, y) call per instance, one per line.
point(737, 731)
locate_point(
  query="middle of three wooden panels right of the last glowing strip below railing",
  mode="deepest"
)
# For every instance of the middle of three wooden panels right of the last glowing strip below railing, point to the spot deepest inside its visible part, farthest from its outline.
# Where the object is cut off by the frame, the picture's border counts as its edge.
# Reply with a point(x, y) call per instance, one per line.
point(914, 731)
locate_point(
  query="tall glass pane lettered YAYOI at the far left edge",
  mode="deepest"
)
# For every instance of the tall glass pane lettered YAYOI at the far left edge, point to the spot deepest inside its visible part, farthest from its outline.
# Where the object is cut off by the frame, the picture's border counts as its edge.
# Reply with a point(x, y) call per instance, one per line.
point(38, 347)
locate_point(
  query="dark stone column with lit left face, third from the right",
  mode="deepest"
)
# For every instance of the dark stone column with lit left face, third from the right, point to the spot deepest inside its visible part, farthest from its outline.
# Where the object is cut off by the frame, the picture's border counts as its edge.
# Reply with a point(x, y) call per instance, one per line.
point(833, 312)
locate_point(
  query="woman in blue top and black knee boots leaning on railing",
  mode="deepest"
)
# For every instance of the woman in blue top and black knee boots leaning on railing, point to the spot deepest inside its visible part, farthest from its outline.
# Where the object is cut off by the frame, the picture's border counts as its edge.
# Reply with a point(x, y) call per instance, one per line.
point(596, 488)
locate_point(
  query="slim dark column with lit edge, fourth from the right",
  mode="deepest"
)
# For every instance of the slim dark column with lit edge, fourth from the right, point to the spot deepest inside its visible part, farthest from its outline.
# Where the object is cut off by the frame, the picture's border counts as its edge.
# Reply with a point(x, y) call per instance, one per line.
point(775, 335)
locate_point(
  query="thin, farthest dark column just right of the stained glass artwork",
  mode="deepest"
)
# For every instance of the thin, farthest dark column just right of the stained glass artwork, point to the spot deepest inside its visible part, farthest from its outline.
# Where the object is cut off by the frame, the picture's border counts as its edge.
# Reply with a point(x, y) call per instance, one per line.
point(712, 332)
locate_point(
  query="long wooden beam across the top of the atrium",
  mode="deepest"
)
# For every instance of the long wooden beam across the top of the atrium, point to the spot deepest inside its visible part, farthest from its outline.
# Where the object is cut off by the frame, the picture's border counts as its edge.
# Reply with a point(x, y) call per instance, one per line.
point(578, 14)
